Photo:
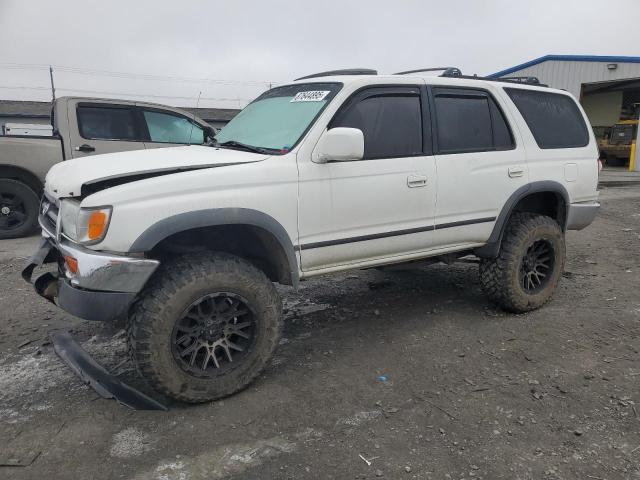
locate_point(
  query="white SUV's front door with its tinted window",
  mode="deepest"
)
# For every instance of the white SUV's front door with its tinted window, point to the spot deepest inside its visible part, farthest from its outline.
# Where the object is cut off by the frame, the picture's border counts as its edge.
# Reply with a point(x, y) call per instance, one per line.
point(359, 212)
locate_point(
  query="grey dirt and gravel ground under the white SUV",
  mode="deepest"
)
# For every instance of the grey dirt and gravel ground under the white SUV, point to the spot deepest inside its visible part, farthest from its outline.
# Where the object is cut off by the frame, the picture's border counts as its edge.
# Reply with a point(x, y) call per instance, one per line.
point(468, 391)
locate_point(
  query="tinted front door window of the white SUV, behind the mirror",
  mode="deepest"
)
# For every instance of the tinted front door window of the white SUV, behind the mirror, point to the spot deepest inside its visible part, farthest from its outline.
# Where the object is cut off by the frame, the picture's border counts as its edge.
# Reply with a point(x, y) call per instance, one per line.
point(391, 124)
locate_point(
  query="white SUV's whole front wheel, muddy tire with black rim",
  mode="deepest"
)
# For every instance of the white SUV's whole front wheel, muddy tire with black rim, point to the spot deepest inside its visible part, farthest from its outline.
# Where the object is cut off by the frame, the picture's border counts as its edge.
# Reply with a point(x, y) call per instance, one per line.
point(205, 327)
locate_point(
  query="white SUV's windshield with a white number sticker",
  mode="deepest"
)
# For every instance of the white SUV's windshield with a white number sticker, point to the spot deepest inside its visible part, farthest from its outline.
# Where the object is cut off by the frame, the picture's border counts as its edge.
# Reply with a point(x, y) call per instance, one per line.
point(277, 119)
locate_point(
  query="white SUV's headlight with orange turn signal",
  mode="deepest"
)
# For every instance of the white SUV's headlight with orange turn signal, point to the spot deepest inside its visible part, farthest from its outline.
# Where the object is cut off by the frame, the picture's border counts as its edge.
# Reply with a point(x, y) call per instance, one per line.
point(84, 225)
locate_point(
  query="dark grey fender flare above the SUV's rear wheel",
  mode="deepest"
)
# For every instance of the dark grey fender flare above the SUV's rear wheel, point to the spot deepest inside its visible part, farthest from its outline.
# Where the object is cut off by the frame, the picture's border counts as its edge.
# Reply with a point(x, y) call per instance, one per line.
point(492, 247)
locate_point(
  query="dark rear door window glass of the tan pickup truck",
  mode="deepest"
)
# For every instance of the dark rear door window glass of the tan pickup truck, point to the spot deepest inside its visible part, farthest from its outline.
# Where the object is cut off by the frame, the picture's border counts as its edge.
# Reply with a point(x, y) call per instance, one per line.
point(106, 123)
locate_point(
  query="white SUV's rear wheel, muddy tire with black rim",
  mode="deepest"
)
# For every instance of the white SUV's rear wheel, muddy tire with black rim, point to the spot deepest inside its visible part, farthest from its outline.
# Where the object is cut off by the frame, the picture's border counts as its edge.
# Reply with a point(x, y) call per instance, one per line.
point(528, 268)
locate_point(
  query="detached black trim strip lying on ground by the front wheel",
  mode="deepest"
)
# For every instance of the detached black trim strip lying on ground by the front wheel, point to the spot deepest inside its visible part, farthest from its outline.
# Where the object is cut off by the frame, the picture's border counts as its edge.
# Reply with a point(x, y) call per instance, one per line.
point(97, 377)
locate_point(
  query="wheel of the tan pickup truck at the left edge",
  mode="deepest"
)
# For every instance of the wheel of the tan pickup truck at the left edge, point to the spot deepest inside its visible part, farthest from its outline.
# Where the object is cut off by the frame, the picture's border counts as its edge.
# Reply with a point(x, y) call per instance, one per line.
point(18, 209)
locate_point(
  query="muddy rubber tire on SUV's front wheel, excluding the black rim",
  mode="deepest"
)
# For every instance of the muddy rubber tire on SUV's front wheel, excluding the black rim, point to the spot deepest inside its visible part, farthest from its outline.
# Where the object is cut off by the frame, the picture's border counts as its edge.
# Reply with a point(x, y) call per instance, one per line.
point(175, 286)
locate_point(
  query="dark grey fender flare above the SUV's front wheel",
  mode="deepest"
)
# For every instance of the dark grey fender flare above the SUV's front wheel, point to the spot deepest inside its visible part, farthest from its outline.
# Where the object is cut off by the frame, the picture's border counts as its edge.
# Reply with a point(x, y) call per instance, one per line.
point(217, 217)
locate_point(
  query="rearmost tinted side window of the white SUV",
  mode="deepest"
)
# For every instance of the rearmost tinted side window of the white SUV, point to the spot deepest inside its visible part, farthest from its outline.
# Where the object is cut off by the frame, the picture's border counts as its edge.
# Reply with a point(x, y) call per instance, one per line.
point(554, 119)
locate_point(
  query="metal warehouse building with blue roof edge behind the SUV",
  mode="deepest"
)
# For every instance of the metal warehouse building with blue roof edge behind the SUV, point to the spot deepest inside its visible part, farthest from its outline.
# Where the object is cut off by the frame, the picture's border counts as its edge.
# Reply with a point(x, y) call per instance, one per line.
point(608, 88)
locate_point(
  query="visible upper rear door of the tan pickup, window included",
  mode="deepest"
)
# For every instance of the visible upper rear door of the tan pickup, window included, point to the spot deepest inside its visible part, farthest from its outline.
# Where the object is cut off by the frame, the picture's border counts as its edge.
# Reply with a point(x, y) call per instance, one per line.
point(96, 128)
